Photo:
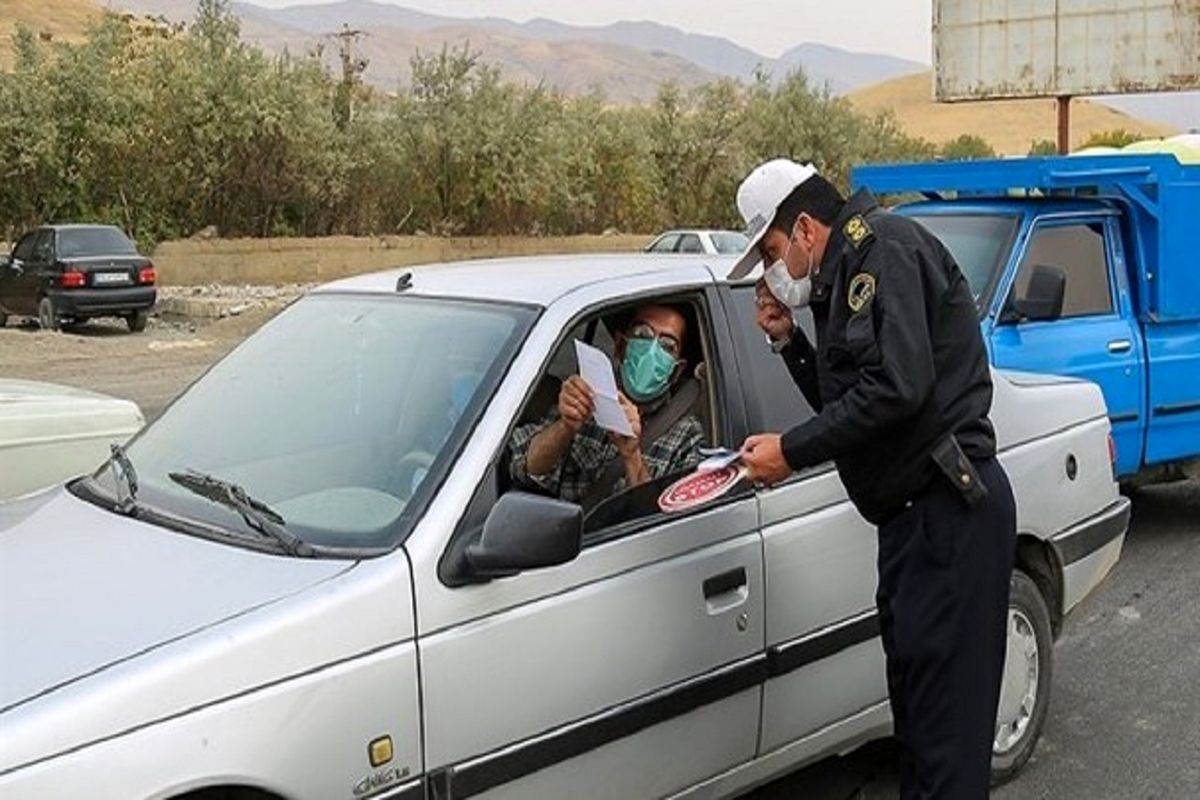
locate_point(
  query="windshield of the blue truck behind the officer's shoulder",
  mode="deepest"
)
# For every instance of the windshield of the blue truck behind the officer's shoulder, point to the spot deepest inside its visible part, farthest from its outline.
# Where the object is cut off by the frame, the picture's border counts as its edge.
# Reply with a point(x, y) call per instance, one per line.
point(980, 244)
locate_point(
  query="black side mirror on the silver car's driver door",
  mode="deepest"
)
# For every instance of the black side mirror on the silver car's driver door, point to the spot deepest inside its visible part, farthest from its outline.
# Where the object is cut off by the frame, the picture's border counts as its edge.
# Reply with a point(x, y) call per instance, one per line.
point(525, 532)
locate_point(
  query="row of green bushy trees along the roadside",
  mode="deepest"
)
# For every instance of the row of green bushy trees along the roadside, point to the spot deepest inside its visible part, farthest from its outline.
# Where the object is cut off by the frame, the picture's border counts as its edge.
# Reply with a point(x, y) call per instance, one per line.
point(170, 131)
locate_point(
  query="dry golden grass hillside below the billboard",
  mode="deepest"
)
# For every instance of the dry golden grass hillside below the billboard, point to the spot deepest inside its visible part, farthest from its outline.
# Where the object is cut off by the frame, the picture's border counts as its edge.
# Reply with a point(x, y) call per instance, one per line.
point(1010, 125)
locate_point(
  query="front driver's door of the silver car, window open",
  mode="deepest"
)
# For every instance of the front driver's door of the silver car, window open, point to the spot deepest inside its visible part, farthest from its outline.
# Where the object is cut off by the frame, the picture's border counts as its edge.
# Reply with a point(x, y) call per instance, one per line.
point(633, 671)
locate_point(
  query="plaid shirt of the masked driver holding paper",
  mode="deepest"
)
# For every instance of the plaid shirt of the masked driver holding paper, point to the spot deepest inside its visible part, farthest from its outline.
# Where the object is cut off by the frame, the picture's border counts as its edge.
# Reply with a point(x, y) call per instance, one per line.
point(675, 452)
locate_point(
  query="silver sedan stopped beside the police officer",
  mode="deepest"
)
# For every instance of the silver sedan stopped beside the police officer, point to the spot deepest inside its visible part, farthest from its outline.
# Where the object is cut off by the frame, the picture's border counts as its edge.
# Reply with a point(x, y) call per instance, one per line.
point(327, 584)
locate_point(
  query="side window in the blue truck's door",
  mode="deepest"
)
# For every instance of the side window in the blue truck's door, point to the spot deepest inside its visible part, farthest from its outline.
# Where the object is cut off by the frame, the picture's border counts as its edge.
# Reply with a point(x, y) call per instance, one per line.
point(1078, 250)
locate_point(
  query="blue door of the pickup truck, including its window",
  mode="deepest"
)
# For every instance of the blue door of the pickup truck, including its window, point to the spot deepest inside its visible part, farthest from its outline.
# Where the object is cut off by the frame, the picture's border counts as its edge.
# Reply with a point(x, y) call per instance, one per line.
point(1096, 336)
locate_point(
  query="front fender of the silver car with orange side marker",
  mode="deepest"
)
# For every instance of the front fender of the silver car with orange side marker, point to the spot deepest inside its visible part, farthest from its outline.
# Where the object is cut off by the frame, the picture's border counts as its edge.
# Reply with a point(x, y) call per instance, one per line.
point(303, 739)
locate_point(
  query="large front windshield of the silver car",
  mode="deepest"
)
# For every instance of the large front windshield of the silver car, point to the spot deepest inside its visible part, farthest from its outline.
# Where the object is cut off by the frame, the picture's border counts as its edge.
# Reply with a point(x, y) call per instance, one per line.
point(340, 417)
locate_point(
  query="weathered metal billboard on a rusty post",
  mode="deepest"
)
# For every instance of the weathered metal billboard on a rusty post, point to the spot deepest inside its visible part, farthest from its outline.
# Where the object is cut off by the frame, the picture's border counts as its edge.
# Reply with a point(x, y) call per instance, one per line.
point(1060, 49)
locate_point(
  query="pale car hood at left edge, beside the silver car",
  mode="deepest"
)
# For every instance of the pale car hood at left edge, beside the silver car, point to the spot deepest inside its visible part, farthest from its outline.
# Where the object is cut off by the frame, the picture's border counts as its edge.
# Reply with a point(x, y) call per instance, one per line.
point(52, 434)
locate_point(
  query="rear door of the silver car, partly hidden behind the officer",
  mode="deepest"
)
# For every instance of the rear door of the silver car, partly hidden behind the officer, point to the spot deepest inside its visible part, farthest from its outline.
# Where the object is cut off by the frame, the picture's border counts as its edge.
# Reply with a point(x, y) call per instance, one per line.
point(826, 679)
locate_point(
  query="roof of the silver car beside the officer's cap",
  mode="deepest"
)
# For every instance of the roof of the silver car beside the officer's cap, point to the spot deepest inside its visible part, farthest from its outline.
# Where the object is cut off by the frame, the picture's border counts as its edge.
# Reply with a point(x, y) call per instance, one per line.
point(538, 280)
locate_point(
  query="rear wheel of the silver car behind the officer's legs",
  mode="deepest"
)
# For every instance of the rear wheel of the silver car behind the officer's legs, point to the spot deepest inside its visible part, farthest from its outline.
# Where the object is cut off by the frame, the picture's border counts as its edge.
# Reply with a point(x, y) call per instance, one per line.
point(1029, 667)
